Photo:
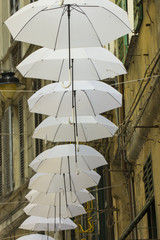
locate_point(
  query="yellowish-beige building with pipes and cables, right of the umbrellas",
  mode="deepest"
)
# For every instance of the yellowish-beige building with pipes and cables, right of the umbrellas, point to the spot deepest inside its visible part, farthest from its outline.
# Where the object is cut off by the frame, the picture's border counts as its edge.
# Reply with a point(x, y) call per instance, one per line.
point(134, 157)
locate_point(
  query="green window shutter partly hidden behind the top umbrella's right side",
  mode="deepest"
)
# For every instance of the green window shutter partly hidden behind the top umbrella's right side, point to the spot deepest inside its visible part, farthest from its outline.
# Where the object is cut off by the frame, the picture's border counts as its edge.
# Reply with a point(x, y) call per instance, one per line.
point(122, 43)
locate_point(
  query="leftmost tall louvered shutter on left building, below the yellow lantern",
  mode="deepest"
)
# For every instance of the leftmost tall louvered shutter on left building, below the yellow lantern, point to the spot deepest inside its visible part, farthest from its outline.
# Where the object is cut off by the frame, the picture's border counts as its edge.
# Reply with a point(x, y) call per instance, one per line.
point(7, 150)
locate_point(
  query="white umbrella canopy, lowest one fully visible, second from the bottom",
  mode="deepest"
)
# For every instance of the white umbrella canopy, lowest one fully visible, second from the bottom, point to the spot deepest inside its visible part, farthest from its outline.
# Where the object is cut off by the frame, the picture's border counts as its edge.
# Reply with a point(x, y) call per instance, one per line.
point(34, 223)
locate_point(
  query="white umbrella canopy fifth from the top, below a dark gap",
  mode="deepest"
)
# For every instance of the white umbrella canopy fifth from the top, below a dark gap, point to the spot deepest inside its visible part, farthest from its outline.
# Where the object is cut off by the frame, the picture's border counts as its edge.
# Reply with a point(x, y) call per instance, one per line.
point(61, 159)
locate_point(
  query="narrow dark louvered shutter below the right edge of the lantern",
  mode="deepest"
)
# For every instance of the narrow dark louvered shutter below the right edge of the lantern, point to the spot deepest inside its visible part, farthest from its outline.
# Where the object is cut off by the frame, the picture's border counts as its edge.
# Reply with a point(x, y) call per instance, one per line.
point(21, 139)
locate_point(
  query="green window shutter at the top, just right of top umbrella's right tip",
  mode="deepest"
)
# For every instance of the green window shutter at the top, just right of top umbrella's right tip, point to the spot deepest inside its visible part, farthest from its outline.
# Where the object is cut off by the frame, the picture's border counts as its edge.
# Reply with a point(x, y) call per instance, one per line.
point(138, 14)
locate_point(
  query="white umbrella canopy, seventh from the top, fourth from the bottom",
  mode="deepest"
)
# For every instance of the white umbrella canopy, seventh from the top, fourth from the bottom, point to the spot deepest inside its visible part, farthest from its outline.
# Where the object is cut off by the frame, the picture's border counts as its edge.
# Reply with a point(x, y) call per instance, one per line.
point(72, 198)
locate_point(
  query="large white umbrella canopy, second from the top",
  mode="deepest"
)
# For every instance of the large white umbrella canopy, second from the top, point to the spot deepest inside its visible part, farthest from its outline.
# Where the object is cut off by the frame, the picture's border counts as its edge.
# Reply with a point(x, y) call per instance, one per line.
point(89, 64)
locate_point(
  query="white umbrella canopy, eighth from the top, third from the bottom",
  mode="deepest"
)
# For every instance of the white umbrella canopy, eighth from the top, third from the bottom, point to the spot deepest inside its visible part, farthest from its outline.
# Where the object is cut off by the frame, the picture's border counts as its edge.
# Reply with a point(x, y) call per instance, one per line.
point(50, 211)
